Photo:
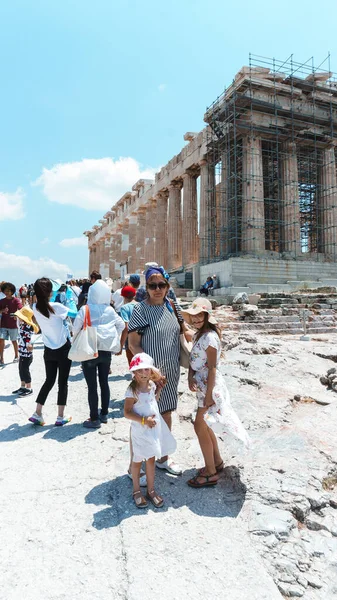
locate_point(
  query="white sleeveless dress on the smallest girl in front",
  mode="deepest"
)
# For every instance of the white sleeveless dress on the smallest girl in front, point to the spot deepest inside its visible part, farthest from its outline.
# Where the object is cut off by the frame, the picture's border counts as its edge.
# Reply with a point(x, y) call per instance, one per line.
point(147, 442)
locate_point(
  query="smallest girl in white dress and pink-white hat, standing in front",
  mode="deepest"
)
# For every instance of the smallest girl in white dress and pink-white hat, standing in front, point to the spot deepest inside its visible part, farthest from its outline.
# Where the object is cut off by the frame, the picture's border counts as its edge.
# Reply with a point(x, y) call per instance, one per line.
point(150, 436)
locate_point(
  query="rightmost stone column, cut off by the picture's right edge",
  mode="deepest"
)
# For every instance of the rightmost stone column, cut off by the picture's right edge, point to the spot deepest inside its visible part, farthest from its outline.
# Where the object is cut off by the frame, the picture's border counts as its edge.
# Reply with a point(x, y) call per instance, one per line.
point(328, 203)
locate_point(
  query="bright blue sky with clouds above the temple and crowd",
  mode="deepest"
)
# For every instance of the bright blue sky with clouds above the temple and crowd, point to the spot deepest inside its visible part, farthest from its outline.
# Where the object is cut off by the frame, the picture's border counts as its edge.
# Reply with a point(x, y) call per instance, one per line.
point(83, 81)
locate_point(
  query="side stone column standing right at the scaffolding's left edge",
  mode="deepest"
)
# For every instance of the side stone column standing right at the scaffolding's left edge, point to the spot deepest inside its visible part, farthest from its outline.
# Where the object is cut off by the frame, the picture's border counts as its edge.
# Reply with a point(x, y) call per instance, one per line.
point(207, 212)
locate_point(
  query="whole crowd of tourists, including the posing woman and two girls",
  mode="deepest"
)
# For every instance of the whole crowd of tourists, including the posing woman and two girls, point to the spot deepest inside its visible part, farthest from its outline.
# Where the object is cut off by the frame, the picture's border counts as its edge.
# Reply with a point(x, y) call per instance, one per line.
point(147, 323)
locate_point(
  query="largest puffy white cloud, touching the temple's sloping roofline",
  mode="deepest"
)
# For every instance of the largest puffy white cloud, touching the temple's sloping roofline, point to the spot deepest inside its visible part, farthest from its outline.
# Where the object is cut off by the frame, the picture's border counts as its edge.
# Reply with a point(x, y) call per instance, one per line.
point(92, 184)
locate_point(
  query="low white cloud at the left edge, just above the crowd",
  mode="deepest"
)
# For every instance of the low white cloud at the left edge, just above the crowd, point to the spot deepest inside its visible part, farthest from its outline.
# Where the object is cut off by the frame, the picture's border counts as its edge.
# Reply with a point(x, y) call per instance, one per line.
point(20, 269)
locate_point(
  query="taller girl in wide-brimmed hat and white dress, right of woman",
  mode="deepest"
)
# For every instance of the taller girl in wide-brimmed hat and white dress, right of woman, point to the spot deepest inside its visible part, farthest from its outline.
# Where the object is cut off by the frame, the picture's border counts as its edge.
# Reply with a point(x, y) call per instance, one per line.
point(214, 413)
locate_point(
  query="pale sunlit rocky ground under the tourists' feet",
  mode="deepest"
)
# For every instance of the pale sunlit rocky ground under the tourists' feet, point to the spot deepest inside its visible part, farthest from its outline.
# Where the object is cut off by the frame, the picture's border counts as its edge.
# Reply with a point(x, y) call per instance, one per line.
point(267, 531)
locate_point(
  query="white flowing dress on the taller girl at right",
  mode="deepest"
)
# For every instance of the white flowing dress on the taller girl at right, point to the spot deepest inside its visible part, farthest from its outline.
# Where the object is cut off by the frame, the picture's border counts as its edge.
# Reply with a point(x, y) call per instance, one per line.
point(220, 417)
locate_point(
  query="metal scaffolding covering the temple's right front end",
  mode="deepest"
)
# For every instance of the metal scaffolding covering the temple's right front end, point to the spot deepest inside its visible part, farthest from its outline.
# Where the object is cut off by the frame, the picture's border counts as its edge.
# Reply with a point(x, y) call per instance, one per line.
point(271, 145)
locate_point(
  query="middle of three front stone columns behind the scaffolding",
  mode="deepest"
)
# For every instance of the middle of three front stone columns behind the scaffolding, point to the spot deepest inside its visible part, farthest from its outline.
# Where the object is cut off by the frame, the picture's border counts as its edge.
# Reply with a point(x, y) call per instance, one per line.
point(290, 209)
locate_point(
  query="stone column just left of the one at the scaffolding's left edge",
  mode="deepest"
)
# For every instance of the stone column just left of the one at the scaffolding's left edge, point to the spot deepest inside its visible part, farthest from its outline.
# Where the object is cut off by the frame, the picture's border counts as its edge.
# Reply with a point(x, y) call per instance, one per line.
point(190, 223)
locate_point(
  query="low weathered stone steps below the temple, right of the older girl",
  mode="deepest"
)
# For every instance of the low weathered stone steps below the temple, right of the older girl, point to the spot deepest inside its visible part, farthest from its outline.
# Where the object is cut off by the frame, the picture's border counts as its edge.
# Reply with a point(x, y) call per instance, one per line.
point(283, 314)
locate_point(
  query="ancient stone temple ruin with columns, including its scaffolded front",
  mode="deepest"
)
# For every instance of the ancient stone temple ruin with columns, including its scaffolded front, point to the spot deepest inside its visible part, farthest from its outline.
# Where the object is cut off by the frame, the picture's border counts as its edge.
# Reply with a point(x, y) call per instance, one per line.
point(251, 198)
